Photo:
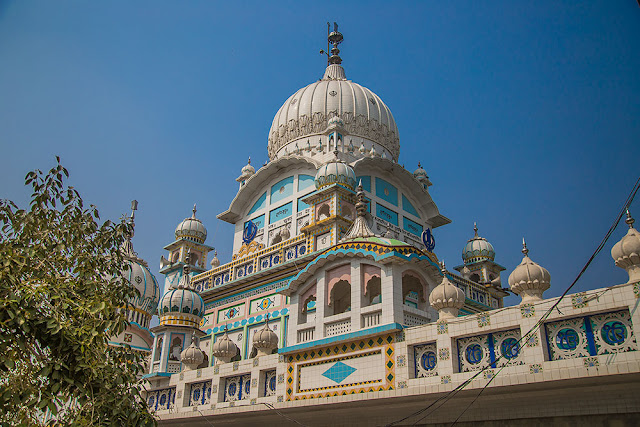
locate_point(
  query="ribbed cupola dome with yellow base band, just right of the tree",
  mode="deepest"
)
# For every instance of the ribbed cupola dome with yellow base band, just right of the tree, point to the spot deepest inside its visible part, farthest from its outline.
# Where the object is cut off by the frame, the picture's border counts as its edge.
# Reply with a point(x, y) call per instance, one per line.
point(182, 305)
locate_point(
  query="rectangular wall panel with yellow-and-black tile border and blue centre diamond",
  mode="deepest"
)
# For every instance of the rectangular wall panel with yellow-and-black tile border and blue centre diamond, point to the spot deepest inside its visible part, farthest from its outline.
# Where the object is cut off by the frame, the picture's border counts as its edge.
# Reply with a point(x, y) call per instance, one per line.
point(341, 353)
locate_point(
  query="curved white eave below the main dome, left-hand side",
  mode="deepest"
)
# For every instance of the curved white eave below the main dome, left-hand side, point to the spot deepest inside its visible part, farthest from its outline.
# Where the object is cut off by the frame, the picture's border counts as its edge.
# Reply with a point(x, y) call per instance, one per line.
point(256, 183)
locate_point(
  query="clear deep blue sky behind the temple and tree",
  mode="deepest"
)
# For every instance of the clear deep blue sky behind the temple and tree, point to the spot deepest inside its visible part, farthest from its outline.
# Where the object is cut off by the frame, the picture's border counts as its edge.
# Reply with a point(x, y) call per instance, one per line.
point(526, 115)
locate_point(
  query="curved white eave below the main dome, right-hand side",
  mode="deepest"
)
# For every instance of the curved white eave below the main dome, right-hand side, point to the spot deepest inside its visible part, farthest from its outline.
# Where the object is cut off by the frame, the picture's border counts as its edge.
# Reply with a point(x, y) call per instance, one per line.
point(426, 204)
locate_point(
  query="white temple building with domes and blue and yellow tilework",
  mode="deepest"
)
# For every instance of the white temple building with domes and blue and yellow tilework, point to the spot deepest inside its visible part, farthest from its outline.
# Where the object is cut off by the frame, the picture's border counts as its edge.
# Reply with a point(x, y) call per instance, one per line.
point(336, 309)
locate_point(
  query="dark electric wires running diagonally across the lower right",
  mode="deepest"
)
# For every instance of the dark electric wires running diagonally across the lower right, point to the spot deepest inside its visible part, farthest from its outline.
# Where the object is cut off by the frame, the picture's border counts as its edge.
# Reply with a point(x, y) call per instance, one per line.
point(598, 249)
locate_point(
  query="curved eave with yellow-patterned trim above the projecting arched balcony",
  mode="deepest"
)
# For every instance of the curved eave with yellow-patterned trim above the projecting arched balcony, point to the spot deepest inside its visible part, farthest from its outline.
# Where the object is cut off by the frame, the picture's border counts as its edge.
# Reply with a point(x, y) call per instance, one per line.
point(365, 248)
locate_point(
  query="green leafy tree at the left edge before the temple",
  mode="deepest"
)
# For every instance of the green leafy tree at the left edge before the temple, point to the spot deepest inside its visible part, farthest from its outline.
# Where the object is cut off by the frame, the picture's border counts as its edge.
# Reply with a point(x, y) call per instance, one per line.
point(61, 297)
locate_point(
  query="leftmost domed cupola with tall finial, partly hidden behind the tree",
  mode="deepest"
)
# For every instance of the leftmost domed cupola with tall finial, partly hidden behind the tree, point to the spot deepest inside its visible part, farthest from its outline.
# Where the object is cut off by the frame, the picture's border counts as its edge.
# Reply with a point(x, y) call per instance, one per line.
point(139, 275)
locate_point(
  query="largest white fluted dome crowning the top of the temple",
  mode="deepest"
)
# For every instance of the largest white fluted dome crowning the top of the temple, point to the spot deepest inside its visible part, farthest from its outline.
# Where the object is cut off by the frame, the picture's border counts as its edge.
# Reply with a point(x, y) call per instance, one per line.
point(306, 113)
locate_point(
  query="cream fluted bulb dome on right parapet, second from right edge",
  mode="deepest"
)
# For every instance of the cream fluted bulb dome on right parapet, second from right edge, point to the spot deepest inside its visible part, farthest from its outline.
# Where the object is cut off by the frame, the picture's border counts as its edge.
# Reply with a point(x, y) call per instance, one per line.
point(529, 280)
